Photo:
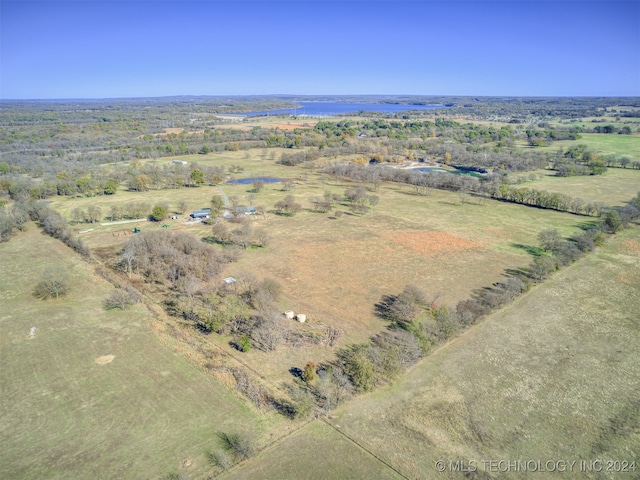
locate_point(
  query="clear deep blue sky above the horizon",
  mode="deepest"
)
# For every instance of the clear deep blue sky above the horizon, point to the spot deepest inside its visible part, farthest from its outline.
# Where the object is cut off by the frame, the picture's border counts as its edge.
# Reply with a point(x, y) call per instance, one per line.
point(104, 49)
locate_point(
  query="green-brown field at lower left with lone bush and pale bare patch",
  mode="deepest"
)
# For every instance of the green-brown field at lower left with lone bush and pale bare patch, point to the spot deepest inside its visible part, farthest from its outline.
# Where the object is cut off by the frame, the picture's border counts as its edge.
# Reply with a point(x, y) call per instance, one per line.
point(95, 394)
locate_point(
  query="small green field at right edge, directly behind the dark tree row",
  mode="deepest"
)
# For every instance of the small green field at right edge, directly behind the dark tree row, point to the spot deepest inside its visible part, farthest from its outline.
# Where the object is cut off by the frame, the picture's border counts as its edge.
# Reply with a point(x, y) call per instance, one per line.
point(616, 187)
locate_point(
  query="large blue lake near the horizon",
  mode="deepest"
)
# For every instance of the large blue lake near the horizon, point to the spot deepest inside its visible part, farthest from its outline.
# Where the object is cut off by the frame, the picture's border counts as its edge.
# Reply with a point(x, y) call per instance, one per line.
point(326, 109)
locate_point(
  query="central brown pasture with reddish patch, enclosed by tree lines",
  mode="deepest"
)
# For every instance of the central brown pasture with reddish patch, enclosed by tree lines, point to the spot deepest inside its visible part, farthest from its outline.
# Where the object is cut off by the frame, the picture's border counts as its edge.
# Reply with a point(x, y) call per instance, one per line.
point(336, 270)
